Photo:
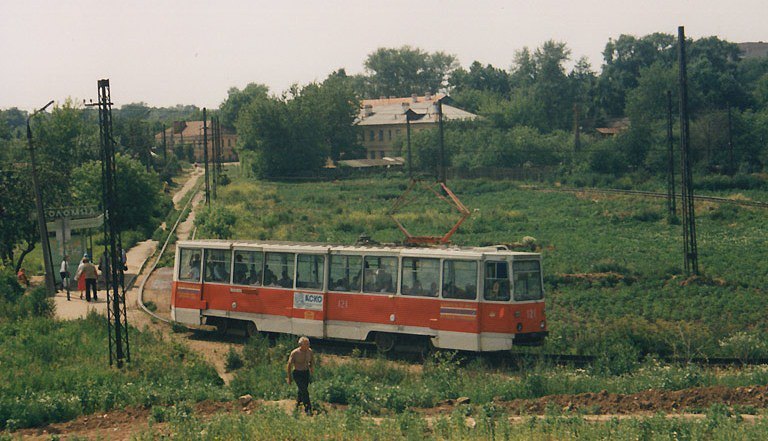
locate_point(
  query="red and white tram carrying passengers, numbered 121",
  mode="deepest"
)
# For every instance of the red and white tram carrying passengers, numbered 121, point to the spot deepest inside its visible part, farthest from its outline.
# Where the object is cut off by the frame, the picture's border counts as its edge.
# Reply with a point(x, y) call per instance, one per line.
point(474, 299)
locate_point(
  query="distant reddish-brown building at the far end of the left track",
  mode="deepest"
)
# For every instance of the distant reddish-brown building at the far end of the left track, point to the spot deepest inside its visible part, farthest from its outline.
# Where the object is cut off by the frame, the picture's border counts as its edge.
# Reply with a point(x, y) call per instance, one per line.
point(183, 134)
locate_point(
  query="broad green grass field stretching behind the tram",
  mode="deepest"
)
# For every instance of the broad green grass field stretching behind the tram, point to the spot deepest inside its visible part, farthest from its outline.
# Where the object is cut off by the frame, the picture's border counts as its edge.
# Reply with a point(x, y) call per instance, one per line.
point(613, 263)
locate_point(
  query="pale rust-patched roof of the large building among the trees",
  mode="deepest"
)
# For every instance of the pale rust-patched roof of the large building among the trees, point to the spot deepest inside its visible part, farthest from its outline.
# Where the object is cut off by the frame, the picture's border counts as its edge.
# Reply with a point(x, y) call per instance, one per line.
point(393, 111)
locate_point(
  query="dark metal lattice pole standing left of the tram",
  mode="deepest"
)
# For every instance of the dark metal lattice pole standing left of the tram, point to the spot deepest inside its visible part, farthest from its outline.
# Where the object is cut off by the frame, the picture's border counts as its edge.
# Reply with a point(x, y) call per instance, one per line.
point(117, 317)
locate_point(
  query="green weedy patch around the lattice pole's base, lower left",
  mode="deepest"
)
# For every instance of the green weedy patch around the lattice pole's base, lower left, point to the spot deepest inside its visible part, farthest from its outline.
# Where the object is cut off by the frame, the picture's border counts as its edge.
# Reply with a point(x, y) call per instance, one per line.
point(55, 370)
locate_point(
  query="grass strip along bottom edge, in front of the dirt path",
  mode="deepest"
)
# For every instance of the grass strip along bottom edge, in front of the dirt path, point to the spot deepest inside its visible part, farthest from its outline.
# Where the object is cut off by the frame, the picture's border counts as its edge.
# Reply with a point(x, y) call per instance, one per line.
point(268, 423)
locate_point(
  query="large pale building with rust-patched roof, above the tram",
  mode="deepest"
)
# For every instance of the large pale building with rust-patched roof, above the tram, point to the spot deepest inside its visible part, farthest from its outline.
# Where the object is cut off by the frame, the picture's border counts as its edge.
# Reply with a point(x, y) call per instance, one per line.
point(382, 121)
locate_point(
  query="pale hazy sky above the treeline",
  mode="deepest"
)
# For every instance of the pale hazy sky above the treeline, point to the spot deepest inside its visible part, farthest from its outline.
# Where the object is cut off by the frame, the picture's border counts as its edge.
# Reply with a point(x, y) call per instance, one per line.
point(191, 52)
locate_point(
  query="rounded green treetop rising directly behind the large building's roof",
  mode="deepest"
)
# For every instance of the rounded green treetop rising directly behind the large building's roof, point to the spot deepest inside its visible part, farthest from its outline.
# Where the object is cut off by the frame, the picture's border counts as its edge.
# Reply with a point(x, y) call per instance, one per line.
point(406, 70)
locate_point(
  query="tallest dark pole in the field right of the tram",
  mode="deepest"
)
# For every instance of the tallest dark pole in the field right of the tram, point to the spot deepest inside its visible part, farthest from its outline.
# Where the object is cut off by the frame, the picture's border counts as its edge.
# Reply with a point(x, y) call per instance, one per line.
point(689, 215)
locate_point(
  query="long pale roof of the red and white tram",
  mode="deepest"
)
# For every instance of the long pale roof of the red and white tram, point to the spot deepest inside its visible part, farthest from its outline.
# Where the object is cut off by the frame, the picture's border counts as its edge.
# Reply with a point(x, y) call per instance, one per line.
point(393, 249)
